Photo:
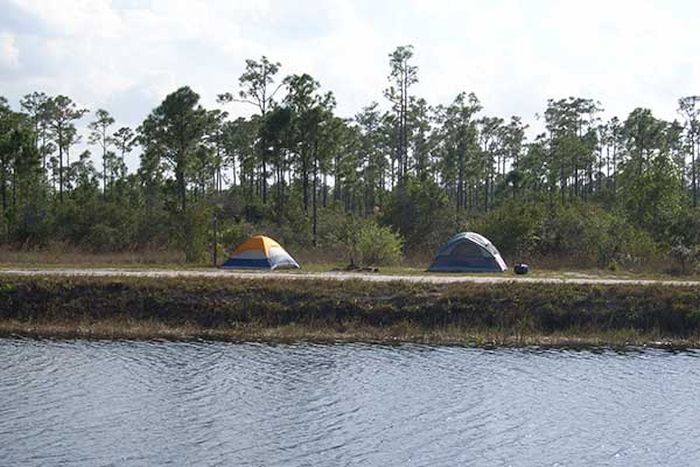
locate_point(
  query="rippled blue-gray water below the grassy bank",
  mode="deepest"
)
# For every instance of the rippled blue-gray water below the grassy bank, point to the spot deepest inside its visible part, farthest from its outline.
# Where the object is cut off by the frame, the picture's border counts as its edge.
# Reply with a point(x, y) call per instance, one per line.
point(202, 403)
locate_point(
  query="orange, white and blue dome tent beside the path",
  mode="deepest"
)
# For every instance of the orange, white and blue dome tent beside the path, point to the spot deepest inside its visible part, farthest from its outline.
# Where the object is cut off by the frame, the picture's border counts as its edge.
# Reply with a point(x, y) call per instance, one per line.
point(260, 252)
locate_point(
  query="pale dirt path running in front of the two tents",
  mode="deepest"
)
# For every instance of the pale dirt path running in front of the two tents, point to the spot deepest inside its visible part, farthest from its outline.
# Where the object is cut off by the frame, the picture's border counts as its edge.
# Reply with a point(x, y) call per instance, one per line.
point(427, 278)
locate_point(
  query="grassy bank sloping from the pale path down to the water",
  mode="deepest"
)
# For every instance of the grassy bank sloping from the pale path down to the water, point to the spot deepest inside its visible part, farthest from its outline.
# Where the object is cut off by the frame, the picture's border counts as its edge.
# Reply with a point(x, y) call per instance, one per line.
point(472, 314)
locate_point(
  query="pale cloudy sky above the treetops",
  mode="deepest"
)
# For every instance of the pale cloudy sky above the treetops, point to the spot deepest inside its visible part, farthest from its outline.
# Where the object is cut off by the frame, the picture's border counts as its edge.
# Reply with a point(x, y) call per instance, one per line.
point(127, 55)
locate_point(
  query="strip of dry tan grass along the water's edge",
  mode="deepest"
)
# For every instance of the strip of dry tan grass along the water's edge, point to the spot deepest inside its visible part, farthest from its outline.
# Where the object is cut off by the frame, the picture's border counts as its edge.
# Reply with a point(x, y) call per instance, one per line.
point(403, 333)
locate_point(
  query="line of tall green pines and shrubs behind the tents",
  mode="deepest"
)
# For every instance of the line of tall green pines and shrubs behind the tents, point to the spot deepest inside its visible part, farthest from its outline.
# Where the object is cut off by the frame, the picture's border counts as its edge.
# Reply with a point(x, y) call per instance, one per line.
point(297, 168)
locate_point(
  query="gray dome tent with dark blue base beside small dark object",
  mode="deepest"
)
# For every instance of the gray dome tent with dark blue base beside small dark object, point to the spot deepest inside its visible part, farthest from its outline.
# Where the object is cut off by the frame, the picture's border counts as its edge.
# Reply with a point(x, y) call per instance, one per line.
point(468, 252)
